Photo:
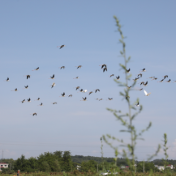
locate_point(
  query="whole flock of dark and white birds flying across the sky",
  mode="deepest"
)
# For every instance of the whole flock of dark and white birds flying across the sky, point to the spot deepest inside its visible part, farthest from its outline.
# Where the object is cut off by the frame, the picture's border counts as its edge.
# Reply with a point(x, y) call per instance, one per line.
point(104, 68)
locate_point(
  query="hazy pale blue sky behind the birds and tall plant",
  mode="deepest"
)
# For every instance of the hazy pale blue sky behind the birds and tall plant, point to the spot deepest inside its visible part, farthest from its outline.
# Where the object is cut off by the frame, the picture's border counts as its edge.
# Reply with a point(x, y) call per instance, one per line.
point(30, 33)
